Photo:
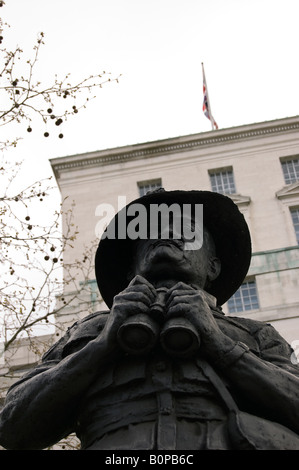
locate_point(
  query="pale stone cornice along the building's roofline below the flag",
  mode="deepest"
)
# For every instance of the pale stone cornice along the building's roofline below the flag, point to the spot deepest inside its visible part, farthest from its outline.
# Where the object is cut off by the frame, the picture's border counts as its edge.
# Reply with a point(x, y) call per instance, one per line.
point(174, 145)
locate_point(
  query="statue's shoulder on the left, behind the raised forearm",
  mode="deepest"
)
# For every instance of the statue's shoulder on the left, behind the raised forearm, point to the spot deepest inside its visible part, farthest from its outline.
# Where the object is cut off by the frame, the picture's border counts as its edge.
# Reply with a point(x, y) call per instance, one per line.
point(77, 336)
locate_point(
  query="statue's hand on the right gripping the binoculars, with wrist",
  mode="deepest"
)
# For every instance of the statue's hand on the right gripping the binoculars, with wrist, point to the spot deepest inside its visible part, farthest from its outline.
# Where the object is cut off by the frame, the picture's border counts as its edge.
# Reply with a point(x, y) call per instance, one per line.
point(187, 302)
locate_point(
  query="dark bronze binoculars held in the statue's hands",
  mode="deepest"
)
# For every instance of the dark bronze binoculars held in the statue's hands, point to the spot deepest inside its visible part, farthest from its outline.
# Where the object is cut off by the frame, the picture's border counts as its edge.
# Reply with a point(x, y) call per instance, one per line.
point(140, 333)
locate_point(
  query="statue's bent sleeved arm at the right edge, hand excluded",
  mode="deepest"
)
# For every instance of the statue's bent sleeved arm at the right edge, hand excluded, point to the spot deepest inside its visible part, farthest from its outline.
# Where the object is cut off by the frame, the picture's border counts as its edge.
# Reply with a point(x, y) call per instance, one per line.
point(268, 382)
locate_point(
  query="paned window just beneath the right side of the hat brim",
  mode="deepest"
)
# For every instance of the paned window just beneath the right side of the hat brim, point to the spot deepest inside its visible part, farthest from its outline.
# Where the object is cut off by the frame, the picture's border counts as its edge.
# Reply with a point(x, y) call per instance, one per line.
point(244, 299)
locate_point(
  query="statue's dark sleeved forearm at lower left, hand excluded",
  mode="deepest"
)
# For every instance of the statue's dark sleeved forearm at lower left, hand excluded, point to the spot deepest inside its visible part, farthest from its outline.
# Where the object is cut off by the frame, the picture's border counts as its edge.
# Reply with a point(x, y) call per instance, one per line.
point(42, 408)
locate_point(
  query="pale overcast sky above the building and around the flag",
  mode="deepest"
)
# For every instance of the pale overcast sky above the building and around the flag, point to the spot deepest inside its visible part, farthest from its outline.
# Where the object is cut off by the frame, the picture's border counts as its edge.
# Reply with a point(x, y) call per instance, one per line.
point(249, 49)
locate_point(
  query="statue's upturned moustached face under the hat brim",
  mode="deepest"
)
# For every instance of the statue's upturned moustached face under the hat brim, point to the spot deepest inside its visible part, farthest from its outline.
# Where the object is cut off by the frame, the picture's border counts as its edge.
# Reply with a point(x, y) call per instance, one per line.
point(166, 259)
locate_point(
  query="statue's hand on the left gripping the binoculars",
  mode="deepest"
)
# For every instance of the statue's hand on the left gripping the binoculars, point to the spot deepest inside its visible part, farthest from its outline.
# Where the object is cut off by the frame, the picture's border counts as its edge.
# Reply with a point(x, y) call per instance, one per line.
point(136, 298)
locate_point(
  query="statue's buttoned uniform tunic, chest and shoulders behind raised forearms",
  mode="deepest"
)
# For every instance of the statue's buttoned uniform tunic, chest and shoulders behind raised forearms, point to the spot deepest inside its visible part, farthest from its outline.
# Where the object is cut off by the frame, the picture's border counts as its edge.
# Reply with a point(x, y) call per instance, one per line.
point(156, 401)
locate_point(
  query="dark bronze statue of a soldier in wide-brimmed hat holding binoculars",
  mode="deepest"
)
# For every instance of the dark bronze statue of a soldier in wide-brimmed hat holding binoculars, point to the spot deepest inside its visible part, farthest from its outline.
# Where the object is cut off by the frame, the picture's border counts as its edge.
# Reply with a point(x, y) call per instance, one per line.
point(165, 368)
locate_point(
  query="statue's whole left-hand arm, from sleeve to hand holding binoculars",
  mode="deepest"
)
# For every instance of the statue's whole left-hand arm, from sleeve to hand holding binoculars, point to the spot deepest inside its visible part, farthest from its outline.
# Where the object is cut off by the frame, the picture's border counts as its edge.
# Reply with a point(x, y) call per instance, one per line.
point(42, 409)
